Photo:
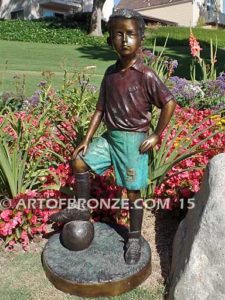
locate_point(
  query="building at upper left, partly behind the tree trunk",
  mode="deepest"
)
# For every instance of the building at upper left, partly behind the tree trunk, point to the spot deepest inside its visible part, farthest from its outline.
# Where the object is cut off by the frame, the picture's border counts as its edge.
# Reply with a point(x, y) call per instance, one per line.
point(34, 9)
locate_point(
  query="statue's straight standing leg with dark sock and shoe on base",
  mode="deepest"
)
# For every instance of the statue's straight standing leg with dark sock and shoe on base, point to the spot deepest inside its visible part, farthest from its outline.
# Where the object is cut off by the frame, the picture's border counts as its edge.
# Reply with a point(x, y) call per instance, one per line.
point(133, 246)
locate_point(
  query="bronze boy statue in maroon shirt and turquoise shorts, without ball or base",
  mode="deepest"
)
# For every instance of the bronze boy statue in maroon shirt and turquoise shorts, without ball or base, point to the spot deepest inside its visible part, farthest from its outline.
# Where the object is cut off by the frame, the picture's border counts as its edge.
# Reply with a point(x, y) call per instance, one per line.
point(128, 91)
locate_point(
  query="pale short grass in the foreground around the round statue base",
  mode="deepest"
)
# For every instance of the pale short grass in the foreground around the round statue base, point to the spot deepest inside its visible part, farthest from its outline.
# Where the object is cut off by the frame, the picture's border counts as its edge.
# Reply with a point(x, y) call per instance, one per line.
point(22, 278)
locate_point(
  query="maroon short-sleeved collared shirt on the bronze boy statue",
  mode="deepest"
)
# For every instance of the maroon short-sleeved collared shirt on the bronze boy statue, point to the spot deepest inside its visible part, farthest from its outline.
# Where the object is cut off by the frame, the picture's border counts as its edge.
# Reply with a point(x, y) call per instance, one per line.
point(126, 97)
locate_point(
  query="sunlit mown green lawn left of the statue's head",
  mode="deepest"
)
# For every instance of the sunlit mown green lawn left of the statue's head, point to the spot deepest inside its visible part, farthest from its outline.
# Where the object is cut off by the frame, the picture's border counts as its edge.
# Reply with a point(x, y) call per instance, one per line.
point(28, 61)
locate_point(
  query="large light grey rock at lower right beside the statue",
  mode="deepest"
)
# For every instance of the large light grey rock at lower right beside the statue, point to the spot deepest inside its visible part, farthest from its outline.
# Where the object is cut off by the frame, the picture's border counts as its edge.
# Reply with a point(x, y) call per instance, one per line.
point(198, 263)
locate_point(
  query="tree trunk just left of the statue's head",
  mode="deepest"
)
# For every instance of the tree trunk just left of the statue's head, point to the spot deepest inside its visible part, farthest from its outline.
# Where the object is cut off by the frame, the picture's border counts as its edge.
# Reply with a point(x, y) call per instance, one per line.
point(96, 18)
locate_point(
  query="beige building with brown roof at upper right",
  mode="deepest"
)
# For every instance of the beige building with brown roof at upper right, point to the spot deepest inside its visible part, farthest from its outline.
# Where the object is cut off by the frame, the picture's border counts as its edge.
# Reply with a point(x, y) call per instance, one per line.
point(182, 12)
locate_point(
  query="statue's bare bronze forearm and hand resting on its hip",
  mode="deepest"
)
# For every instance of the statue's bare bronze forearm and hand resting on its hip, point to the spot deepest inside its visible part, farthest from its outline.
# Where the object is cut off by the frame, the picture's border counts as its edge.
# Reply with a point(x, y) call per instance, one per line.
point(164, 118)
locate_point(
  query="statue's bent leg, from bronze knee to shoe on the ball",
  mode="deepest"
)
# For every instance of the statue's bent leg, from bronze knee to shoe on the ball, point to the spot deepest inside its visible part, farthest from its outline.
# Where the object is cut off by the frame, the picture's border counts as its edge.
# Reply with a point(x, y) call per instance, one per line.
point(82, 191)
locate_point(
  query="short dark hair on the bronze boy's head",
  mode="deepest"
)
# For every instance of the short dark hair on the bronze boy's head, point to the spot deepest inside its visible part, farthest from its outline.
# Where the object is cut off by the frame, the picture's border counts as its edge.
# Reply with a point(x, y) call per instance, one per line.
point(125, 13)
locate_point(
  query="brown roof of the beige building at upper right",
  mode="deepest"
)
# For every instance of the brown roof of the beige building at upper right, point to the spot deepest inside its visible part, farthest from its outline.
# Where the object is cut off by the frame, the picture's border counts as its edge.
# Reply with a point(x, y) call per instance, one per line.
point(143, 4)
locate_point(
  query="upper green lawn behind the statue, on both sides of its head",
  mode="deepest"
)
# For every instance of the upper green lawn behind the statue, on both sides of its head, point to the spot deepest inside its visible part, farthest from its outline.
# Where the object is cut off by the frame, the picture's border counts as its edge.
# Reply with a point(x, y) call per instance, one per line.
point(23, 61)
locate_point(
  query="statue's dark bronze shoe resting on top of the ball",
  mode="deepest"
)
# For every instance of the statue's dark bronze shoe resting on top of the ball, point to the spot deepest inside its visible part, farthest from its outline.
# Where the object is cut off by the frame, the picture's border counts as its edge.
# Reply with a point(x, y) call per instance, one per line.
point(71, 214)
